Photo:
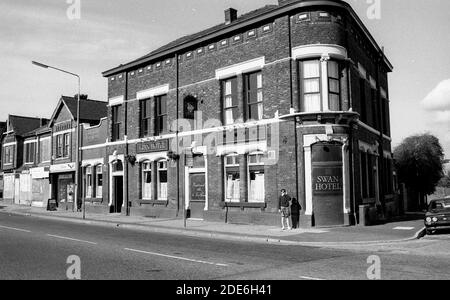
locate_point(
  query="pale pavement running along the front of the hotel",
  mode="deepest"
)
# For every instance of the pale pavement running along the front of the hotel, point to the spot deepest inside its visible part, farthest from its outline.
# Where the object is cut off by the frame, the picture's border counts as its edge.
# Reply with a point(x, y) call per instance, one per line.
point(400, 231)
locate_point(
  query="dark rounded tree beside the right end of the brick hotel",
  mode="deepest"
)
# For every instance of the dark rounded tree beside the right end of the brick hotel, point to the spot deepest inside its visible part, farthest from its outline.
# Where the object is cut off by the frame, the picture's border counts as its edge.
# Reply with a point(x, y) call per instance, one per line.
point(419, 162)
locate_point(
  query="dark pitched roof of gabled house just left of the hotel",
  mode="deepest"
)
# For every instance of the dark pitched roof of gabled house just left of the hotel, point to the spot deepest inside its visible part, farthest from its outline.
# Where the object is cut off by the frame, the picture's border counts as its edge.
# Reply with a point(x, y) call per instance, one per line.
point(90, 110)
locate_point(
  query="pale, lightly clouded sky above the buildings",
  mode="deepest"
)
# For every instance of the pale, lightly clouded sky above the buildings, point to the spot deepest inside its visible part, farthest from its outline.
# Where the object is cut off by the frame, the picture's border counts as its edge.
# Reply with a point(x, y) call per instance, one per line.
point(415, 34)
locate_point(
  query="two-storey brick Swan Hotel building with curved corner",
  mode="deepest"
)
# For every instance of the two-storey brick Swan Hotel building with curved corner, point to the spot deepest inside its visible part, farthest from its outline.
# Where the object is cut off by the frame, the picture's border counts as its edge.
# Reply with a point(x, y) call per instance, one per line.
point(291, 96)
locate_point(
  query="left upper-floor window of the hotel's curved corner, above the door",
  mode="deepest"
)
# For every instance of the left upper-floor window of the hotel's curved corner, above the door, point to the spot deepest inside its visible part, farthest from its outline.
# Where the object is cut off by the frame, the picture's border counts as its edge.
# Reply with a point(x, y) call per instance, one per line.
point(310, 71)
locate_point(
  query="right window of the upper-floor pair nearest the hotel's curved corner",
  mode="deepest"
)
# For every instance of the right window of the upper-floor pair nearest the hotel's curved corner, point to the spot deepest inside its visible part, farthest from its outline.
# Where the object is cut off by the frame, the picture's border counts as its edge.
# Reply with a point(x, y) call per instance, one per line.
point(254, 95)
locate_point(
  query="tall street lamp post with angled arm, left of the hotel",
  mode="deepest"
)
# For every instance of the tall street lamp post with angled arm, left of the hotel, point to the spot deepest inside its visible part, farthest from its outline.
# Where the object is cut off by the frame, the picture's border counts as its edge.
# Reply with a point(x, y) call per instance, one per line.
point(77, 156)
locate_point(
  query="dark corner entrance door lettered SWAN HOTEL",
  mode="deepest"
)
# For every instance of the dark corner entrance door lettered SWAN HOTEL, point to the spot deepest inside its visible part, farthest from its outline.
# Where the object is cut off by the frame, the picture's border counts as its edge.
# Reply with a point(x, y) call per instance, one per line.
point(327, 175)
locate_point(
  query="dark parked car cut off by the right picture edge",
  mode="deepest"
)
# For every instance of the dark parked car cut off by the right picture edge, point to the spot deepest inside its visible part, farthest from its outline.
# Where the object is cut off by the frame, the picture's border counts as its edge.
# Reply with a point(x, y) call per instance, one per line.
point(438, 215)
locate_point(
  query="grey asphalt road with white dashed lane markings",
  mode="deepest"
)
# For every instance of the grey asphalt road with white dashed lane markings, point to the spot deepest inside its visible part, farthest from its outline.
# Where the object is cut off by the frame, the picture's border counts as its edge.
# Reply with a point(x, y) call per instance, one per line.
point(36, 248)
